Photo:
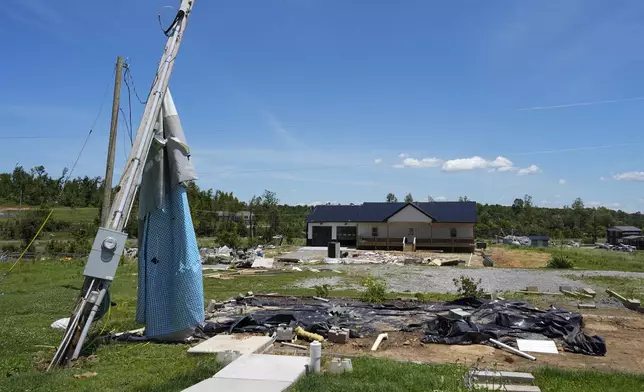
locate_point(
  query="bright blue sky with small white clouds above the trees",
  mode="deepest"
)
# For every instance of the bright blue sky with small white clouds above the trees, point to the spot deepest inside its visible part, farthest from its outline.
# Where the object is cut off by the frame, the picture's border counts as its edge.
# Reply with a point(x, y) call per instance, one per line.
point(345, 101)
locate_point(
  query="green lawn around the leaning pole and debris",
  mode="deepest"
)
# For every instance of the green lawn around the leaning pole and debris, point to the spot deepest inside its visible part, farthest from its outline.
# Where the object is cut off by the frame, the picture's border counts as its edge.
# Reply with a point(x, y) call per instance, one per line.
point(36, 294)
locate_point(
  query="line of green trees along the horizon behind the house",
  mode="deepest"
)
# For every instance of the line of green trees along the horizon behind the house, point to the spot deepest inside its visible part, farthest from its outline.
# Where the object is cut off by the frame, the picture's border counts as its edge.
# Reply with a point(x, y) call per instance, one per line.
point(214, 212)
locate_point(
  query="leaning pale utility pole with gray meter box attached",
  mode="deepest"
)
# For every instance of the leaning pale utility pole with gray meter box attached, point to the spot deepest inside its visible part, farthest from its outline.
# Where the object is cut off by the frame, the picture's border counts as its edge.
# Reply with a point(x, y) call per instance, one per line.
point(110, 239)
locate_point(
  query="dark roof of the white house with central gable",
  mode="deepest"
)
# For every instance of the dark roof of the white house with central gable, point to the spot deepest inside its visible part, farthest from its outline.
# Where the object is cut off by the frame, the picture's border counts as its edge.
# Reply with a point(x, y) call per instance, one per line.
point(440, 211)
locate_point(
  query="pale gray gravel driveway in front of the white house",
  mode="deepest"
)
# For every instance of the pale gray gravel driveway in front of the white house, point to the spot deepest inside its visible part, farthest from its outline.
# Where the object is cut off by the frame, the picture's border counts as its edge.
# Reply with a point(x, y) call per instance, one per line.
point(401, 278)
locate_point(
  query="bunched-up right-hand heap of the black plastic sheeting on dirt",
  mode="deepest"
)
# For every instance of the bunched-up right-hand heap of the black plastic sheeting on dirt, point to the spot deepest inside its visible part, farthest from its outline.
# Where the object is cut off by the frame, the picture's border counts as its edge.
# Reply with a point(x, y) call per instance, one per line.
point(498, 319)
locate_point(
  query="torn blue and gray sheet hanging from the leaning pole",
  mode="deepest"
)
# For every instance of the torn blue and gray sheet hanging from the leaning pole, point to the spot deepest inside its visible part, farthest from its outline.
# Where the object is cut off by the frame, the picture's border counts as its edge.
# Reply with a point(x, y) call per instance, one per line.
point(170, 294)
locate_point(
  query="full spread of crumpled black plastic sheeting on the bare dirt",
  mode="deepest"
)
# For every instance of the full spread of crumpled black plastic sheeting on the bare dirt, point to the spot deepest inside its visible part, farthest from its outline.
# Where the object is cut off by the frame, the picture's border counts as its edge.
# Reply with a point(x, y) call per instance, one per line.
point(490, 319)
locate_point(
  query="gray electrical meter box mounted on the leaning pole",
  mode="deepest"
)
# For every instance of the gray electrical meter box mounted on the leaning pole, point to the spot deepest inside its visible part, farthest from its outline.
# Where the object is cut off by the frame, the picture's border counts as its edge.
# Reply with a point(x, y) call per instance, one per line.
point(105, 255)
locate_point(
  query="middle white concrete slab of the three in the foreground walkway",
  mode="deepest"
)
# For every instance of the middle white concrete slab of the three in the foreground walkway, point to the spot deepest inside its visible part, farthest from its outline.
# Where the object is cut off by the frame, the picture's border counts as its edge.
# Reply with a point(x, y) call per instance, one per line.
point(265, 367)
